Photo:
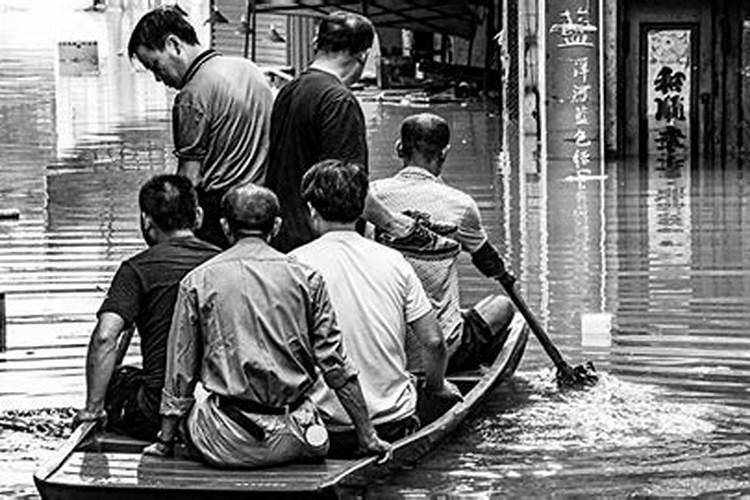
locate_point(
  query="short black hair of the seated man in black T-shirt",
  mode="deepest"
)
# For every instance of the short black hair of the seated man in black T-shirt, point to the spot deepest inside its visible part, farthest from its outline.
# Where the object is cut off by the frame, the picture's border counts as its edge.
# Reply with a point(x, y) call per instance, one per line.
point(170, 200)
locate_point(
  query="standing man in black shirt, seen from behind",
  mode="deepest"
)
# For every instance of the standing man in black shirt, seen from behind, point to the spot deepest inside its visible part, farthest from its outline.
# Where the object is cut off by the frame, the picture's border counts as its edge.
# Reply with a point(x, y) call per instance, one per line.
point(316, 117)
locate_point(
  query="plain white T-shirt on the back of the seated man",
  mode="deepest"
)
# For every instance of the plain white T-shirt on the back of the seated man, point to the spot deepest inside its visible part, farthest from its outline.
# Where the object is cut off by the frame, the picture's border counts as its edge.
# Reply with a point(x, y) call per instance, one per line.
point(375, 293)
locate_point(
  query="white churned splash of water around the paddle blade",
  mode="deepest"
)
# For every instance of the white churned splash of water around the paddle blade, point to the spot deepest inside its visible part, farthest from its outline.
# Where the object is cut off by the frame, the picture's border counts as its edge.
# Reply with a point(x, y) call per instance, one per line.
point(614, 414)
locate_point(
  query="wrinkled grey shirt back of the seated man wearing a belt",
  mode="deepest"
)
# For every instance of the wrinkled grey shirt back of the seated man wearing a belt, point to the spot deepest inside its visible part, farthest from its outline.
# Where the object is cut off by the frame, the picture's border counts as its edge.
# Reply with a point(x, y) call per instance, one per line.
point(255, 307)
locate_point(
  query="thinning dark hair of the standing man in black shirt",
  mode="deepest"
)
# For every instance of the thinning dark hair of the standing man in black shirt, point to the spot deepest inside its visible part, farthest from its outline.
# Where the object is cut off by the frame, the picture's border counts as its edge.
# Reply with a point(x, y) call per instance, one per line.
point(344, 32)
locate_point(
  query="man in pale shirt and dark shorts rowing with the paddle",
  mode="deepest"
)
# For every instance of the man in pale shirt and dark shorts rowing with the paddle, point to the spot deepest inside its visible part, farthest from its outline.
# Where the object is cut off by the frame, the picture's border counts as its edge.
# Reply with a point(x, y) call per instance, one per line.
point(477, 336)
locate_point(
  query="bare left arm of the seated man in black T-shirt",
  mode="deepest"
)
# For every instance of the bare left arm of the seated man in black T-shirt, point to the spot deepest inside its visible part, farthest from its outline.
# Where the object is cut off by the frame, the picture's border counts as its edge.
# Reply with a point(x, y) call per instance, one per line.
point(101, 359)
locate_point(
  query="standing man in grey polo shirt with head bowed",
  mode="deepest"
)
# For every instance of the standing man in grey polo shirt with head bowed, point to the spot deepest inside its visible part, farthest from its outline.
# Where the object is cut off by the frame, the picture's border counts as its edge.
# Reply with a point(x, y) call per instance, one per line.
point(221, 114)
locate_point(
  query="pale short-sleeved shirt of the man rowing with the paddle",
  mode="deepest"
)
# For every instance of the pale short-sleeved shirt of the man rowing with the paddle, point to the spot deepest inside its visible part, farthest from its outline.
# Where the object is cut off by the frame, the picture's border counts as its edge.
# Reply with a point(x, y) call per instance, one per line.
point(415, 188)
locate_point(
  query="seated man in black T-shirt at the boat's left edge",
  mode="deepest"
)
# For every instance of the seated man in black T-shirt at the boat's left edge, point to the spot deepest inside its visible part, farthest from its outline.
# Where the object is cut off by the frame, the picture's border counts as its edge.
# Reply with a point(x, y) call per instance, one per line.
point(143, 293)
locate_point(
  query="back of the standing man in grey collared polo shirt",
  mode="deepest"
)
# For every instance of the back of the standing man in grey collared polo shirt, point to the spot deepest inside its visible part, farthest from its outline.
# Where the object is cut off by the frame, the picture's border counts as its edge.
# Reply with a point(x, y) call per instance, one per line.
point(224, 113)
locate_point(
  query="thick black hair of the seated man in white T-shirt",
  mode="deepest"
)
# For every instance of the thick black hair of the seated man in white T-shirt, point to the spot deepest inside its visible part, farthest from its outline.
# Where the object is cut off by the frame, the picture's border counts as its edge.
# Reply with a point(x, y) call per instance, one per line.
point(336, 189)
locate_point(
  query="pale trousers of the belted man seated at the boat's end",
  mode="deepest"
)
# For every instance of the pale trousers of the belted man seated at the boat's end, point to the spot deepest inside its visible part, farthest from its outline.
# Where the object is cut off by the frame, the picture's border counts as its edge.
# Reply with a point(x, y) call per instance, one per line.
point(223, 442)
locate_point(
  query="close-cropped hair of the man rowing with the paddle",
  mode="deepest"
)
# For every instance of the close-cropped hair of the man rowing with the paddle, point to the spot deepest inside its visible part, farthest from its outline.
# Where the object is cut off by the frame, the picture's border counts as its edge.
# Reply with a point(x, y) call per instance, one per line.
point(425, 133)
